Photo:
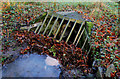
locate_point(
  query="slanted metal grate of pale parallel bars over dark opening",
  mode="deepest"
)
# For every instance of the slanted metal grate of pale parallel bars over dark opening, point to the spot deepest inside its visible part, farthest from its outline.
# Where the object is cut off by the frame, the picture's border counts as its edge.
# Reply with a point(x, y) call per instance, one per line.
point(78, 36)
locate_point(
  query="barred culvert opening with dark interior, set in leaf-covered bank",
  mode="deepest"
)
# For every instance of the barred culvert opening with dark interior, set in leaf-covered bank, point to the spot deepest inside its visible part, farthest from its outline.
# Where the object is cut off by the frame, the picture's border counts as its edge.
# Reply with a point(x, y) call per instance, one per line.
point(80, 33)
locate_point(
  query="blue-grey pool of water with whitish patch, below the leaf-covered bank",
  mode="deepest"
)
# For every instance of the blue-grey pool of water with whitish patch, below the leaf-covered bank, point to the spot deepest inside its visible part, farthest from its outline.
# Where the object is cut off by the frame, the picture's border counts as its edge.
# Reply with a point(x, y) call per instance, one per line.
point(32, 65)
